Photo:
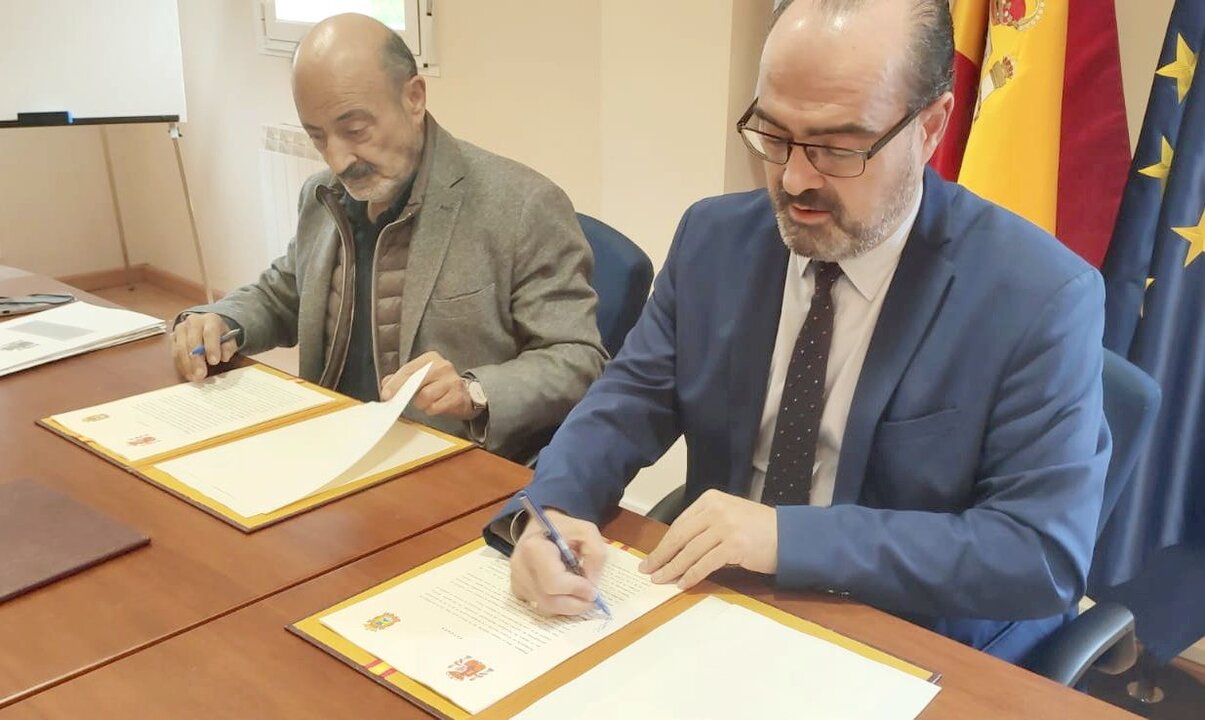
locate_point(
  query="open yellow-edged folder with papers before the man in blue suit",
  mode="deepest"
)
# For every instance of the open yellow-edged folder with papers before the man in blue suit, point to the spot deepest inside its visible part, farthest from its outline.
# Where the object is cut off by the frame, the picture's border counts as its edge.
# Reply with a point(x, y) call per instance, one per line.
point(451, 638)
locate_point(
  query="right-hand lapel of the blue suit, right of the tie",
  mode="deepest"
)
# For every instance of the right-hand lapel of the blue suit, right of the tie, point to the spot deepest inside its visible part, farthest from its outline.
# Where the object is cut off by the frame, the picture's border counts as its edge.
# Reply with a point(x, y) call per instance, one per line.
point(910, 309)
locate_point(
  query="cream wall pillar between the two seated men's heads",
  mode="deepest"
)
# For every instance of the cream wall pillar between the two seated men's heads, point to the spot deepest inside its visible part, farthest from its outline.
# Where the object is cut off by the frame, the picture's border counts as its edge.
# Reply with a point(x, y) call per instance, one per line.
point(665, 107)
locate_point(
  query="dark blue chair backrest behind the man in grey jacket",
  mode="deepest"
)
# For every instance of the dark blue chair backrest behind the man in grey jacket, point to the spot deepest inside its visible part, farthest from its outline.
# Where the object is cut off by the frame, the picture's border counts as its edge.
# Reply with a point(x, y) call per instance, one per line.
point(622, 278)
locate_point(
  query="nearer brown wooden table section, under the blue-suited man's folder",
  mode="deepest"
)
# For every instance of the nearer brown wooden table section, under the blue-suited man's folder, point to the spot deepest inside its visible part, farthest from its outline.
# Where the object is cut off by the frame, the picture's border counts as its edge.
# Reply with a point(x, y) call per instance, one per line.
point(246, 665)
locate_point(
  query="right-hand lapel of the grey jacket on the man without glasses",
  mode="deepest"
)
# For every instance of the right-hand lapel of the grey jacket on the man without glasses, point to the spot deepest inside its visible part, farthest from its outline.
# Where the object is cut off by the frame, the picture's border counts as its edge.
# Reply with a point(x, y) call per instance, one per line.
point(433, 234)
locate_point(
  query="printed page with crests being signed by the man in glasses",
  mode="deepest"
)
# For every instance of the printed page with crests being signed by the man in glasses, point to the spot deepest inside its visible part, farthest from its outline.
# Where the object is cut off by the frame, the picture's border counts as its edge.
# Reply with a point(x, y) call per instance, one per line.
point(460, 632)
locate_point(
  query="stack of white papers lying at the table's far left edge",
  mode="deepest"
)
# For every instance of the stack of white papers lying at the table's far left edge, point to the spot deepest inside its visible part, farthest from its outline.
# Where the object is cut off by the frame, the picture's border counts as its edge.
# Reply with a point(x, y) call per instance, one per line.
point(69, 331)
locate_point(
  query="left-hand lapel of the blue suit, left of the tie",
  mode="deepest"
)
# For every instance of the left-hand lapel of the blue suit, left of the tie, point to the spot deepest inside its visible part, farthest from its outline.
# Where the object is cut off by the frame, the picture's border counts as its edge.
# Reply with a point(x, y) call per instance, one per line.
point(756, 327)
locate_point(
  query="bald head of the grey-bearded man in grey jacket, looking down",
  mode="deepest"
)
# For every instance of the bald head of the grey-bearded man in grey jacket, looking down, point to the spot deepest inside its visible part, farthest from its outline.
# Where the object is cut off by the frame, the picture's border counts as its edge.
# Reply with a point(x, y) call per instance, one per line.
point(363, 105)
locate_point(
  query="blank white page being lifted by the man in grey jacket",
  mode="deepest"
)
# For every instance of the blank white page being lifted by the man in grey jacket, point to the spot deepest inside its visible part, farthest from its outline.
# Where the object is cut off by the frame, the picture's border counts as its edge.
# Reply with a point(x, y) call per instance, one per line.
point(266, 473)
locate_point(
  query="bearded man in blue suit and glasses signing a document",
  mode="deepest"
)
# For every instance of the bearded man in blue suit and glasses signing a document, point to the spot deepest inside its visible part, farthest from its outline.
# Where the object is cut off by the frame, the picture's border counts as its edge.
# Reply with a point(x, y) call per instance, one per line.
point(890, 388)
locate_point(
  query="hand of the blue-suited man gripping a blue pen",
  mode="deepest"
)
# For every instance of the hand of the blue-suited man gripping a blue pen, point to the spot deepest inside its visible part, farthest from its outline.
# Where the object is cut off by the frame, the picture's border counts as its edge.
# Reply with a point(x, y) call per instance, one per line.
point(539, 576)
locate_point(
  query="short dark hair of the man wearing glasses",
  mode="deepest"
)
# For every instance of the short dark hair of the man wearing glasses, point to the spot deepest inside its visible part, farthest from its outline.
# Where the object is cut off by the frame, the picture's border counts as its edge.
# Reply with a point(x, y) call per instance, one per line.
point(932, 49)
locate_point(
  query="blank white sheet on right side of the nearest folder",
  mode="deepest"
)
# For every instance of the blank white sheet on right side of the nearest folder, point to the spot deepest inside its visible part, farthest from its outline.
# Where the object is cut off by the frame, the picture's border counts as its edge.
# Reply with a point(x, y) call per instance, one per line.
point(721, 660)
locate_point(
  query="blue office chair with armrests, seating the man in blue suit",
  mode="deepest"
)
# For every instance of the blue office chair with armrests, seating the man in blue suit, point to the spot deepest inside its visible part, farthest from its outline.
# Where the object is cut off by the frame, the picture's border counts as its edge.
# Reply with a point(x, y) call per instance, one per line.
point(1102, 638)
